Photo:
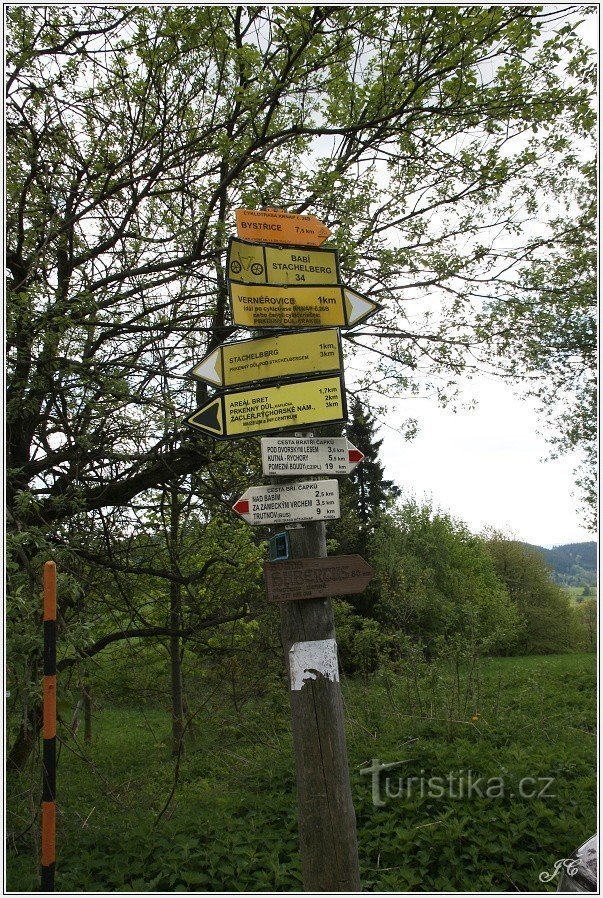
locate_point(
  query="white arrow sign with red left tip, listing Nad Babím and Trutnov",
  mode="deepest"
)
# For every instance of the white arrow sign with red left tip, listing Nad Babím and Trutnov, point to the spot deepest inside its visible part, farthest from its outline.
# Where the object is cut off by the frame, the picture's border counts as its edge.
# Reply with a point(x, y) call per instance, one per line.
point(311, 500)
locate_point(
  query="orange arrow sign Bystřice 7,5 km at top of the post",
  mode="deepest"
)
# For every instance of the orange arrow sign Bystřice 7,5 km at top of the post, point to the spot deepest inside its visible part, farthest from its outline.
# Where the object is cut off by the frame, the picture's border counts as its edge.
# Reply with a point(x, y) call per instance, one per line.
point(276, 226)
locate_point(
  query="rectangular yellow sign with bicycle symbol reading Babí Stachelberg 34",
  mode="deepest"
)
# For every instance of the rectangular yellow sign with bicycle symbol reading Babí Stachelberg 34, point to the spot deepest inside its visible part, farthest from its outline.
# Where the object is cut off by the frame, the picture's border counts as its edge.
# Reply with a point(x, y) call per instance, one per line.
point(254, 263)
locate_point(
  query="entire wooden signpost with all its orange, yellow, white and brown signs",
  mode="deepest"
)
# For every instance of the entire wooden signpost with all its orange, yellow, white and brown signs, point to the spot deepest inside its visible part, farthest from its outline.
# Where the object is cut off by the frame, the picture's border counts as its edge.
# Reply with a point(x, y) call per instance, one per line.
point(290, 286)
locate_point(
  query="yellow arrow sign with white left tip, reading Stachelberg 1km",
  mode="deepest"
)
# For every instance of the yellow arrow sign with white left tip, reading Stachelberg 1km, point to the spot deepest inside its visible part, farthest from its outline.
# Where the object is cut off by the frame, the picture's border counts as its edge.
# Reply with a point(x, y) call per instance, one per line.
point(272, 358)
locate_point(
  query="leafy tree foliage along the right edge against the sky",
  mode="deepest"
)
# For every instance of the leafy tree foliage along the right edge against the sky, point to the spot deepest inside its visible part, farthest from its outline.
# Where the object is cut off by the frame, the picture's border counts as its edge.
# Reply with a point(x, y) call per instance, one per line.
point(545, 329)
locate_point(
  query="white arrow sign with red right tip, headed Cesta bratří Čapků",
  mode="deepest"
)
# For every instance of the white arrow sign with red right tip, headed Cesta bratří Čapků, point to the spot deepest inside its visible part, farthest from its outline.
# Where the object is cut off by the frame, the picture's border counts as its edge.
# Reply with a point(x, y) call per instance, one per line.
point(290, 456)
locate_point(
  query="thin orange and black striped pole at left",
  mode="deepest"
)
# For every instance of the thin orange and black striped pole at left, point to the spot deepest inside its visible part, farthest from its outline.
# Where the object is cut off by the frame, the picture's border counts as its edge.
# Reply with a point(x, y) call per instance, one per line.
point(49, 757)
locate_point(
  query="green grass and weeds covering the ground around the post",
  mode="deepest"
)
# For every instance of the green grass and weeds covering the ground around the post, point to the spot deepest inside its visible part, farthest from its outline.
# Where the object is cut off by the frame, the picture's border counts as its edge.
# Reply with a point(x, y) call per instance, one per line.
point(232, 823)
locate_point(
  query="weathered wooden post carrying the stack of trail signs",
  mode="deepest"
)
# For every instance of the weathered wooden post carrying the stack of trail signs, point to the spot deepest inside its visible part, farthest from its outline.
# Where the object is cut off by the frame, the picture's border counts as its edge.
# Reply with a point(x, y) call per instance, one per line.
point(327, 823)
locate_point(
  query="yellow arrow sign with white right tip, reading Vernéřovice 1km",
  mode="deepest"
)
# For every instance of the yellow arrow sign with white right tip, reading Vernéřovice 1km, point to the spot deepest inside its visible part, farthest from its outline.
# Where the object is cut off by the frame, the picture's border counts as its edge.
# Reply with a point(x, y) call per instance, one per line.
point(266, 306)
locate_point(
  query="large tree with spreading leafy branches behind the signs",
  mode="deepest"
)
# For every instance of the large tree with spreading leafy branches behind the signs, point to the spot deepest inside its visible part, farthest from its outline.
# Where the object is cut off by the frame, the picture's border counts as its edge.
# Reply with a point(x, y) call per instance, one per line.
point(133, 135)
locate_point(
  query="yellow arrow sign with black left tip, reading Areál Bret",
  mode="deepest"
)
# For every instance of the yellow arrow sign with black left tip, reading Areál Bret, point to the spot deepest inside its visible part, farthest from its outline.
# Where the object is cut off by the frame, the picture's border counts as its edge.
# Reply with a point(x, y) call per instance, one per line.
point(272, 408)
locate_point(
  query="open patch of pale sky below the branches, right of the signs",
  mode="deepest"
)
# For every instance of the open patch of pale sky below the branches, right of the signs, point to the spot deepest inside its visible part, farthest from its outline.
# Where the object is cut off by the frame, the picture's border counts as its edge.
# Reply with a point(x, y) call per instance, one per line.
point(486, 466)
